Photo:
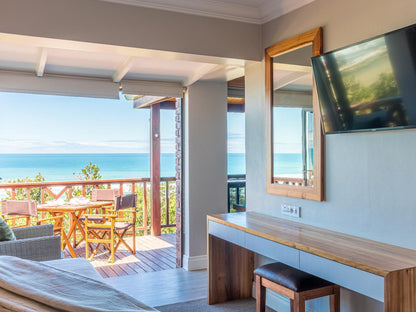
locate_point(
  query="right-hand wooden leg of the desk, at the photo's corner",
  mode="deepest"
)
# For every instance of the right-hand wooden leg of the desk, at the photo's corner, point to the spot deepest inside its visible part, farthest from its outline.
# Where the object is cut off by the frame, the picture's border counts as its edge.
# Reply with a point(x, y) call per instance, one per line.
point(400, 291)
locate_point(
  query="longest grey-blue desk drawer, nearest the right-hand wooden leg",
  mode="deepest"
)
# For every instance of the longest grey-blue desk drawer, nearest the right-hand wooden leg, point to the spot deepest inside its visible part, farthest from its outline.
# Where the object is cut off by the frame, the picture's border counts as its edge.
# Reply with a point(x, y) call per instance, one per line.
point(357, 280)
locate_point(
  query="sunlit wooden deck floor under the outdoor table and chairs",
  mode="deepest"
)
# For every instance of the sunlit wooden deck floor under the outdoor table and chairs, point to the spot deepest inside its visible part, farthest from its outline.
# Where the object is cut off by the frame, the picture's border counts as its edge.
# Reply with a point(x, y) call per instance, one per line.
point(153, 253)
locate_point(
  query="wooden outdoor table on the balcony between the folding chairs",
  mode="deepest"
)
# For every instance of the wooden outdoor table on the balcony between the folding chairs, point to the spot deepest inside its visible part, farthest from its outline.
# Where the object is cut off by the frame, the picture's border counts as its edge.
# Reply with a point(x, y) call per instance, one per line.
point(75, 212)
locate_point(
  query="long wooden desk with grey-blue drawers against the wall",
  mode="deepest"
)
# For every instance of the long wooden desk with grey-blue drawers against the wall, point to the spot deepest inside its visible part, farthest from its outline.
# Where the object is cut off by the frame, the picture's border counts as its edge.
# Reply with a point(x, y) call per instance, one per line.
point(384, 272)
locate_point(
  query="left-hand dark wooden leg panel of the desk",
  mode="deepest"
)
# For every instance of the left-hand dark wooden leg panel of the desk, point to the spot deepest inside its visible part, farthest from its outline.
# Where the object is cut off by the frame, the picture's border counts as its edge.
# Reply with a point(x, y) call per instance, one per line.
point(230, 271)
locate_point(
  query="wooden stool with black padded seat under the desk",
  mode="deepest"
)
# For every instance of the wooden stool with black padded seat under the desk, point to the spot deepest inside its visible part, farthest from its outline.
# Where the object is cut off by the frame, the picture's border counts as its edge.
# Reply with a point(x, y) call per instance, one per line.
point(297, 285)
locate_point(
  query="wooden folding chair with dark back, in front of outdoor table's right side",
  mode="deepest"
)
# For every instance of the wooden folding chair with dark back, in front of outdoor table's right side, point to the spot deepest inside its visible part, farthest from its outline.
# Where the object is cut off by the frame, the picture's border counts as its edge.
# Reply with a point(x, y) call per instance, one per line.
point(111, 232)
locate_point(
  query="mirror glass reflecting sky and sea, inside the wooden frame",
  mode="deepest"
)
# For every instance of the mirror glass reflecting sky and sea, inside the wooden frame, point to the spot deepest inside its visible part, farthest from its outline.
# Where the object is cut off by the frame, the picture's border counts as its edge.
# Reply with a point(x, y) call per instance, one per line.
point(292, 123)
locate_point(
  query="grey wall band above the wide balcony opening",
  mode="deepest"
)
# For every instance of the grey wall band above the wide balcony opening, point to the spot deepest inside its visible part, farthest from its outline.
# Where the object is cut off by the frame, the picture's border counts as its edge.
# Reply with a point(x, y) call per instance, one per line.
point(126, 25)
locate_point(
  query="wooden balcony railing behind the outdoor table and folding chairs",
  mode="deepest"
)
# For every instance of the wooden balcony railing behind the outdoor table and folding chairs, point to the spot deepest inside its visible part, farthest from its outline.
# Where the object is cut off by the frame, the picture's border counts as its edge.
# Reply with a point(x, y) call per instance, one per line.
point(43, 191)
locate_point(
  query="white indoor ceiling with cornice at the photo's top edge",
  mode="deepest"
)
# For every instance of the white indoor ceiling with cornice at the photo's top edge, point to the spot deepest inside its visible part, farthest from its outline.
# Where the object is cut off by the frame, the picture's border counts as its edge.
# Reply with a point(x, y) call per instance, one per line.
point(249, 11)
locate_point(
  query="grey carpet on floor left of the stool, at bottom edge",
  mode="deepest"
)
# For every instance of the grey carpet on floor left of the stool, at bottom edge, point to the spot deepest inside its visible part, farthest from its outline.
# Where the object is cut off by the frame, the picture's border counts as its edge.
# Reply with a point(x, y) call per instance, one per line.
point(200, 305)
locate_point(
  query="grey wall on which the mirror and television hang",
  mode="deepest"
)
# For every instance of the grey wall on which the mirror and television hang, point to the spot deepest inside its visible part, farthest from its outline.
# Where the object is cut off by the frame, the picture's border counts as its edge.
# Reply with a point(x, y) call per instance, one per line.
point(371, 177)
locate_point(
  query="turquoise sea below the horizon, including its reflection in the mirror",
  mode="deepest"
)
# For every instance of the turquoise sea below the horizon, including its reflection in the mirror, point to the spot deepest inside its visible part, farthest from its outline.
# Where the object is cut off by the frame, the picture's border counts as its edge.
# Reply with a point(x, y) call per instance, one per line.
point(67, 167)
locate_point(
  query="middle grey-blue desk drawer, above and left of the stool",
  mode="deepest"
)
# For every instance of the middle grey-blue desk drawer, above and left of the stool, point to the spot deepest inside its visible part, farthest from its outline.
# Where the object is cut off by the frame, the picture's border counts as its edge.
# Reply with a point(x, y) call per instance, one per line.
point(273, 250)
